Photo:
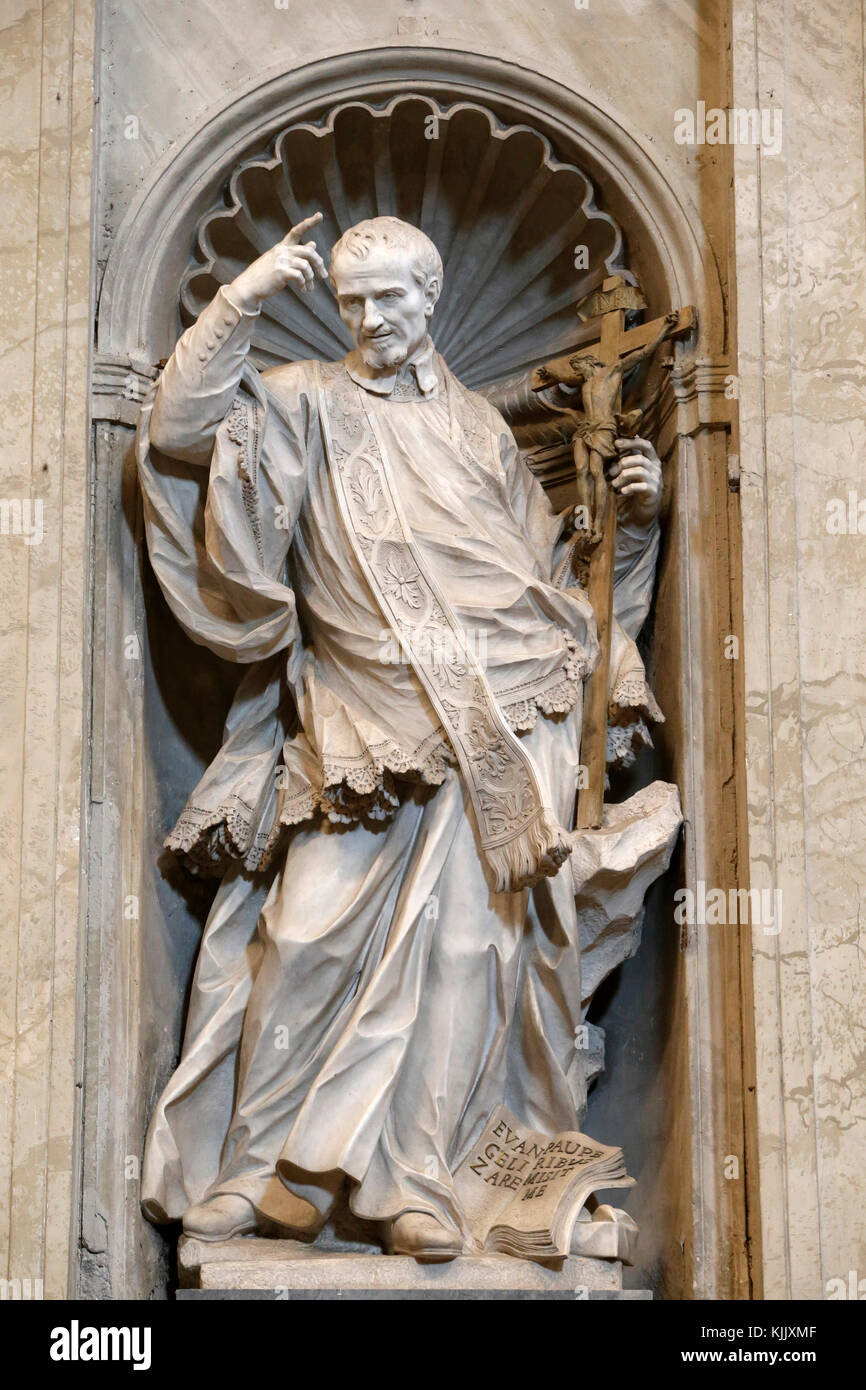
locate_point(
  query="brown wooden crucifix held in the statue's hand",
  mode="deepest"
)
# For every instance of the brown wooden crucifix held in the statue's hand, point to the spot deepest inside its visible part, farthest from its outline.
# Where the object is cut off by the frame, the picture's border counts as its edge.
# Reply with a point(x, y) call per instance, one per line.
point(598, 372)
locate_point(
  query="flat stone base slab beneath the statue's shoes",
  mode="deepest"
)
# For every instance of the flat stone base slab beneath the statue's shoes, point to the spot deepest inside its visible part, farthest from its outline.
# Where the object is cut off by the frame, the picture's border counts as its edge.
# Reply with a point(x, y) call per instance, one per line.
point(286, 1270)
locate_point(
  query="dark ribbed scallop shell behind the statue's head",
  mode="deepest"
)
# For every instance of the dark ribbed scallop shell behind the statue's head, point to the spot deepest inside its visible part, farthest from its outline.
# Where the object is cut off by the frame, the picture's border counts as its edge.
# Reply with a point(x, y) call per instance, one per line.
point(508, 218)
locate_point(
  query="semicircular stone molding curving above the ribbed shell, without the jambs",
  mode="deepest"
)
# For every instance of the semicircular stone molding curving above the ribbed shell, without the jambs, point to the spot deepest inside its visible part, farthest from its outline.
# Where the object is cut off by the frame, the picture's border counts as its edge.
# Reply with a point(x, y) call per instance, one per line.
point(154, 245)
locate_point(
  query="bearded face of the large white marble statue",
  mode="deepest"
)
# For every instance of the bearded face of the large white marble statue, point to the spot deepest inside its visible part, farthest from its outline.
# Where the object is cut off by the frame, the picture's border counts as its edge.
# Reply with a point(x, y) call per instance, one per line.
point(383, 305)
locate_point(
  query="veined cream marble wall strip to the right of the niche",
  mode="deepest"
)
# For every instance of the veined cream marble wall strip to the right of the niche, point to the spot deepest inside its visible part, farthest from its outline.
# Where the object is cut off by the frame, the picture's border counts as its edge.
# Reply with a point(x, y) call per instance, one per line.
point(801, 306)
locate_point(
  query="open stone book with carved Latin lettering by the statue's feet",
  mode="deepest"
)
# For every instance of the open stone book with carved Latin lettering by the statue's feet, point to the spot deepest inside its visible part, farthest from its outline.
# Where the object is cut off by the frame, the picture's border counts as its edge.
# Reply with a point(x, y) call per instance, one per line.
point(525, 1192)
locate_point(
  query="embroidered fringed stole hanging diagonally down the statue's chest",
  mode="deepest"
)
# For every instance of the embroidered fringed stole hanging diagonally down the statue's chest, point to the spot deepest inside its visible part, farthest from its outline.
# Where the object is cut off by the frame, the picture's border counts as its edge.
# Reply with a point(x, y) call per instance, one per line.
point(521, 837)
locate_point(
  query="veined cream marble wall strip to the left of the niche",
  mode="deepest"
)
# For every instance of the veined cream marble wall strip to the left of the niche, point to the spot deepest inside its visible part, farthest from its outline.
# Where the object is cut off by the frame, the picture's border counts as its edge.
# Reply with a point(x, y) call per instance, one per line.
point(47, 62)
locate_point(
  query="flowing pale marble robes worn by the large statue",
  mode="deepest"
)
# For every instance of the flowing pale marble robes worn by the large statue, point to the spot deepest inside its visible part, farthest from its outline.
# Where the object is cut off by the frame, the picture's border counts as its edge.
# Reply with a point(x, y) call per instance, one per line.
point(402, 753)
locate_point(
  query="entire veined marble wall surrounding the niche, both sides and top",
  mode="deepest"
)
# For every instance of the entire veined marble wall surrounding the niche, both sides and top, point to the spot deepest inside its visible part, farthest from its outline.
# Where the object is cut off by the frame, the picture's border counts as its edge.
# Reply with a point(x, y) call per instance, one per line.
point(794, 276)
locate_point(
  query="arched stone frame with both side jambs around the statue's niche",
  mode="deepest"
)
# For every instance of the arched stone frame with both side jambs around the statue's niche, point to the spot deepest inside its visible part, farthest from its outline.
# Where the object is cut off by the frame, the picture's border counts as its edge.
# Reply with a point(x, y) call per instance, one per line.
point(140, 320)
